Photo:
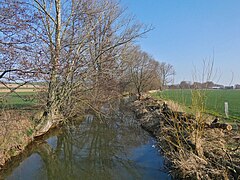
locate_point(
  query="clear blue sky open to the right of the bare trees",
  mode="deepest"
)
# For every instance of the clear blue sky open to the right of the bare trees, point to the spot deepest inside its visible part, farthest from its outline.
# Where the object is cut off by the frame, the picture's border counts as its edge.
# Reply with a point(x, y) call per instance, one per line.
point(189, 31)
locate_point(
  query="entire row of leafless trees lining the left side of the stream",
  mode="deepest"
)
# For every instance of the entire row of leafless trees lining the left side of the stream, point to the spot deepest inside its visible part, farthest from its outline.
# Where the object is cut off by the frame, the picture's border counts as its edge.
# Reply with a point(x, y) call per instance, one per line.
point(82, 49)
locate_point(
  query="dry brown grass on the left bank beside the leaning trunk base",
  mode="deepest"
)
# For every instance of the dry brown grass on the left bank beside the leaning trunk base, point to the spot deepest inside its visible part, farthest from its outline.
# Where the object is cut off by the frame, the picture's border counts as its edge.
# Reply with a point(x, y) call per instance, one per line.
point(15, 134)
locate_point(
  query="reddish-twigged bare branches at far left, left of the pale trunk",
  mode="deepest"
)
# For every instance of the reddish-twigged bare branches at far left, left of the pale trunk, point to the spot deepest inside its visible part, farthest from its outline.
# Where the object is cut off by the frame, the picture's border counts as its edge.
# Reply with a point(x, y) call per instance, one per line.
point(18, 46)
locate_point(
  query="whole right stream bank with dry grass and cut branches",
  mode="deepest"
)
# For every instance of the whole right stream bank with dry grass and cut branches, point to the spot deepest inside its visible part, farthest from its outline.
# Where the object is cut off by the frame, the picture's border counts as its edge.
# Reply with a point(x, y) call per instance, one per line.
point(192, 152)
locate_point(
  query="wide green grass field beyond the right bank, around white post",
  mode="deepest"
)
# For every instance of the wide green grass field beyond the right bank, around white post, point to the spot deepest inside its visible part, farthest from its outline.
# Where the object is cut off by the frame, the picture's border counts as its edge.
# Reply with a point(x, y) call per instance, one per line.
point(214, 100)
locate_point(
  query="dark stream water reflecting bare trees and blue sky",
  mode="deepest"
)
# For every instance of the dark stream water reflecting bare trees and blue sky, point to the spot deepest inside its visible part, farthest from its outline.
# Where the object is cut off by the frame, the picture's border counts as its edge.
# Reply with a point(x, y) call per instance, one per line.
point(93, 148)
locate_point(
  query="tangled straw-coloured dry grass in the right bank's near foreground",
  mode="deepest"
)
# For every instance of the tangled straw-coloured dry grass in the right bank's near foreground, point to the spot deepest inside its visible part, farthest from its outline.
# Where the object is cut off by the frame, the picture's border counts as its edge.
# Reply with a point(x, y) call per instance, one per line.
point(209, 158)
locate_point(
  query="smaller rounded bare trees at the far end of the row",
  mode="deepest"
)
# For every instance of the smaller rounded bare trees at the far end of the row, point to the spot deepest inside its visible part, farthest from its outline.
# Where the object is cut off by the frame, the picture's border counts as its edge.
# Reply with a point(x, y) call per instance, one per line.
point(144, 73)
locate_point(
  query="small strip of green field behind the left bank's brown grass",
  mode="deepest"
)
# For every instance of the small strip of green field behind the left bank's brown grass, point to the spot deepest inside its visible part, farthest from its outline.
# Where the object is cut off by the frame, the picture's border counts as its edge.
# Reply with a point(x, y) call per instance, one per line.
point(18, 101)
